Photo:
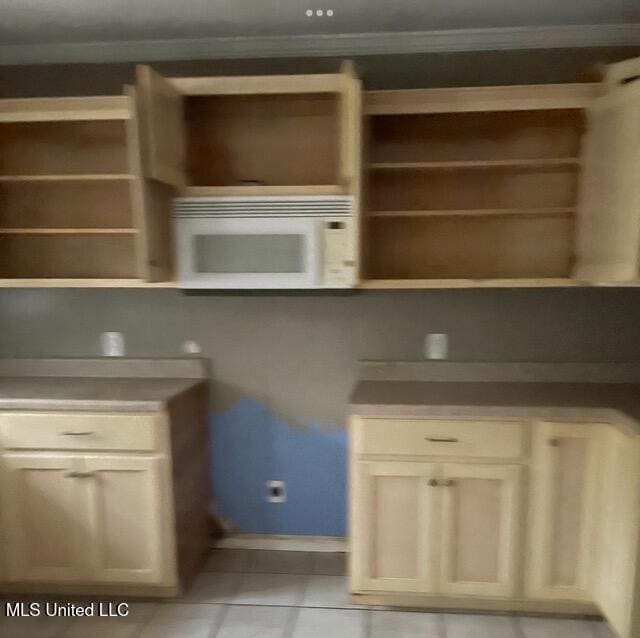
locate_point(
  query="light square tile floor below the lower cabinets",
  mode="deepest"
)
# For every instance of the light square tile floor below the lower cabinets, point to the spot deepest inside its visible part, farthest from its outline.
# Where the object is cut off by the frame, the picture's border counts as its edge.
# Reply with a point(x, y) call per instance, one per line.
point(267, 594)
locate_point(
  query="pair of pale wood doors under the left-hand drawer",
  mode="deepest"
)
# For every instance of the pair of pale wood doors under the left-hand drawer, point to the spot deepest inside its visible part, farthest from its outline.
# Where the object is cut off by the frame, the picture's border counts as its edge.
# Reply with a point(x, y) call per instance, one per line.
point(85, 518)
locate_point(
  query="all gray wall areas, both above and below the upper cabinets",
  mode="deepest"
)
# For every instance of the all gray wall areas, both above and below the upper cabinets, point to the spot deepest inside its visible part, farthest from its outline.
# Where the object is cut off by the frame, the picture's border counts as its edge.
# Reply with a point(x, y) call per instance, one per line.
point(297, 353)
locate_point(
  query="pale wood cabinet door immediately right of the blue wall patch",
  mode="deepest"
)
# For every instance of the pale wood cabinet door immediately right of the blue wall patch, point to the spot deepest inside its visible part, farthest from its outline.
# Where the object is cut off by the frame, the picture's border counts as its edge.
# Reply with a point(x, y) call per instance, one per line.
point(394, 519)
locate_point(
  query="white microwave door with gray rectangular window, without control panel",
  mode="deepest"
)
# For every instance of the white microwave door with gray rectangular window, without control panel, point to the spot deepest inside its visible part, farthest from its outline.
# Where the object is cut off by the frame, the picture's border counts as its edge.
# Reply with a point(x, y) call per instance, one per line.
point(248, 253)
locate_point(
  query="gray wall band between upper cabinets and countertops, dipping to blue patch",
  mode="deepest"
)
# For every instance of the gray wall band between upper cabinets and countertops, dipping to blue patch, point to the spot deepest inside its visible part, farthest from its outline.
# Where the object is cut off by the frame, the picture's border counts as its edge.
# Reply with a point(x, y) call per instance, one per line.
point(296, 354)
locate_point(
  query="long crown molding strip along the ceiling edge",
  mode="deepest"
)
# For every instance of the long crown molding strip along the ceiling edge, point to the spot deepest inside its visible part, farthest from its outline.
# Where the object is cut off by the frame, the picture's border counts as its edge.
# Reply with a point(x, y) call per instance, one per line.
point(347, 44)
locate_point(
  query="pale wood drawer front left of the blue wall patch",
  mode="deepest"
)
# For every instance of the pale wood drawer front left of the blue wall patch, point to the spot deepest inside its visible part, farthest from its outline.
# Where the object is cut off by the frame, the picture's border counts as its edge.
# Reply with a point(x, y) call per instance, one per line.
point(80, 431)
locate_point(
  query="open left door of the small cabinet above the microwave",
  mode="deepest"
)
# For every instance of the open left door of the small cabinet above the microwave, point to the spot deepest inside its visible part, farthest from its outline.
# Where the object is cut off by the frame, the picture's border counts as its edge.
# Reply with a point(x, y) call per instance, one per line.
point(160, 112)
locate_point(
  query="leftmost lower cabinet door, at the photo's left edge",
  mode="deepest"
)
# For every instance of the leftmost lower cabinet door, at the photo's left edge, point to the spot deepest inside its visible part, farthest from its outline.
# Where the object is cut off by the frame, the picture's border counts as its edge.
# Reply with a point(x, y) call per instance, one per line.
point(44, 518)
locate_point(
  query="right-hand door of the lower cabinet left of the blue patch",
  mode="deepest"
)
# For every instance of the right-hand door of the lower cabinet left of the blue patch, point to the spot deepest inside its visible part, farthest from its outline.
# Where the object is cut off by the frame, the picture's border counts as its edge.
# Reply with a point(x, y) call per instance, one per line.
point(129, 522)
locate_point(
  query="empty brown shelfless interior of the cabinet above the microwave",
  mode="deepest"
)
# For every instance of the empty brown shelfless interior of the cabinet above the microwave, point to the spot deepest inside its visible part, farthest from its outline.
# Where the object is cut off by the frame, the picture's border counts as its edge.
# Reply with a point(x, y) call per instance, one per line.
point(268, 140)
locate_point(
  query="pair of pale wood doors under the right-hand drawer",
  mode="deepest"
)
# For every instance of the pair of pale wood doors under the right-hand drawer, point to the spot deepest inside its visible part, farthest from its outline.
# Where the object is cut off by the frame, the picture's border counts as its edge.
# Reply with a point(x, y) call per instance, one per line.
point(430, 528)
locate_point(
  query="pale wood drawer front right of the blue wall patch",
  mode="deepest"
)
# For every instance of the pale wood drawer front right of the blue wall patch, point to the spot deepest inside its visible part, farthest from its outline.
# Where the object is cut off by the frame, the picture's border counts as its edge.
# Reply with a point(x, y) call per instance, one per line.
point(496, 439)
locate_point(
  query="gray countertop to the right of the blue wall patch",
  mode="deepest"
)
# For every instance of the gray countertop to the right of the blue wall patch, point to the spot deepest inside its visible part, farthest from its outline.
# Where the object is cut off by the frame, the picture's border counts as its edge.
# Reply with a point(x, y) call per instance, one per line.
point(616, 403)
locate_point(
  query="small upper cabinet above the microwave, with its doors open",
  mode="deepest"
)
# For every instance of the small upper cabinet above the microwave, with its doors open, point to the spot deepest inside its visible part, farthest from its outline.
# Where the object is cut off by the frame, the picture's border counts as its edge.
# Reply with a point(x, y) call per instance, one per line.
point(252, 135)
